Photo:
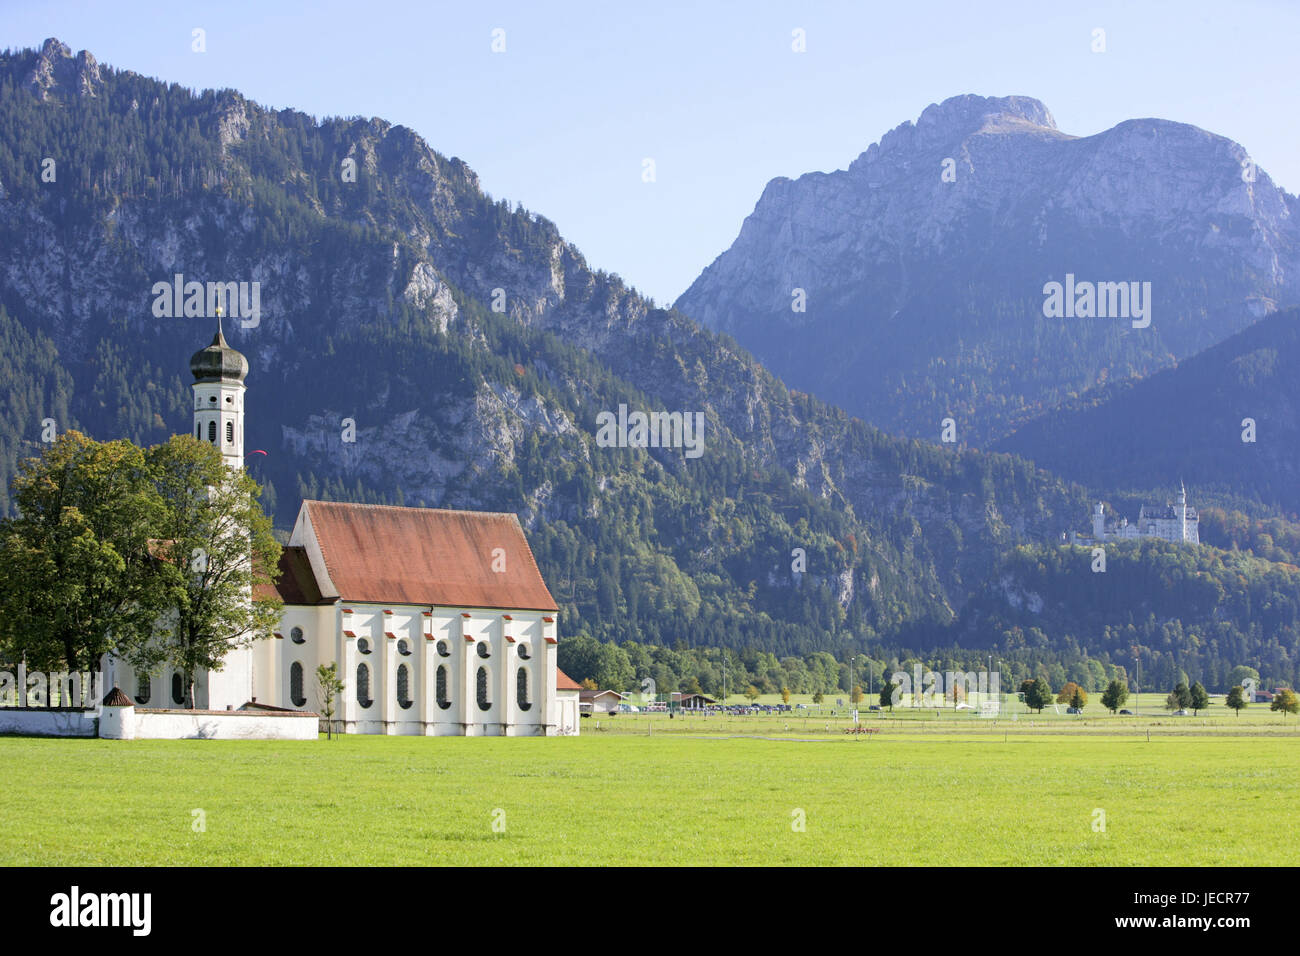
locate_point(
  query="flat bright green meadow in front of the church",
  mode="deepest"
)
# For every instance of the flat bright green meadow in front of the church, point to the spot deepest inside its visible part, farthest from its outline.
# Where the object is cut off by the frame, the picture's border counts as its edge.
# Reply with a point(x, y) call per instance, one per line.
point(913, 794)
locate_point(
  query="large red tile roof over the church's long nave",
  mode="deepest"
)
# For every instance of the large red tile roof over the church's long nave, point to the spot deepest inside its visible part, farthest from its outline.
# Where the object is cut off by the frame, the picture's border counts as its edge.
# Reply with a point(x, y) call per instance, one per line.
point(378, 553)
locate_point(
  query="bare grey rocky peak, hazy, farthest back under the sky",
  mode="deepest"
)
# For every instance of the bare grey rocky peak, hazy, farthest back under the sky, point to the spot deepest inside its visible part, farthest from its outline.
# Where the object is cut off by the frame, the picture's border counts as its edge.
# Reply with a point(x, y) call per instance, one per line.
point(925, 297)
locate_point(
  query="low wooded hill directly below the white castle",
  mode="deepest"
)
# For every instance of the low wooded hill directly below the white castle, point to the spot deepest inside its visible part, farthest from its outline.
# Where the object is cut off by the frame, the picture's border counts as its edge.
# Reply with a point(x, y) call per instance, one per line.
point(1172, 611)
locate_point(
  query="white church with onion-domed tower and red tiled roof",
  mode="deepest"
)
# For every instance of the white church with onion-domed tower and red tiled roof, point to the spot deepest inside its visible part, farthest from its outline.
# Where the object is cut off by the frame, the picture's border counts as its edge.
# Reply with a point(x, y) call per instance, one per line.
point(439, 621)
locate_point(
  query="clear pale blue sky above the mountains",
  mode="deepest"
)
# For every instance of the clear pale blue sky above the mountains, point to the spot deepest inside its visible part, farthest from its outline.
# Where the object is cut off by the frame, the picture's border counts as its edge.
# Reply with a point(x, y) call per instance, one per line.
point(712, 92)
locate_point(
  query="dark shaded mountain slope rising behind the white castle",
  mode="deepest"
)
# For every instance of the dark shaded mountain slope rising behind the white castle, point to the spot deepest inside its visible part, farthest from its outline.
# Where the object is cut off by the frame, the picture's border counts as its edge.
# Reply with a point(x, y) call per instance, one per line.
point(1188, 423)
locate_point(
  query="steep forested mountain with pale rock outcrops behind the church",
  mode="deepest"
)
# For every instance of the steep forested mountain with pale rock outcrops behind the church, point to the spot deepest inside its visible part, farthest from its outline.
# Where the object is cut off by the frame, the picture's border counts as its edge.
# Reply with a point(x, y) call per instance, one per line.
point(376, 305)
